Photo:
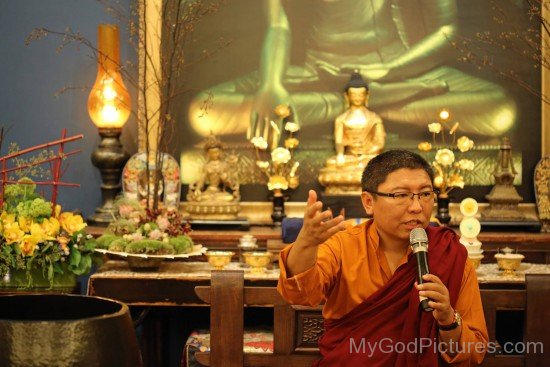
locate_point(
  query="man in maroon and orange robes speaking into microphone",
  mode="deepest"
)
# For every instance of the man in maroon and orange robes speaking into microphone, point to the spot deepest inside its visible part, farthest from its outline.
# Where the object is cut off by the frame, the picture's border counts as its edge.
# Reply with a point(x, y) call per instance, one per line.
point(366, 276)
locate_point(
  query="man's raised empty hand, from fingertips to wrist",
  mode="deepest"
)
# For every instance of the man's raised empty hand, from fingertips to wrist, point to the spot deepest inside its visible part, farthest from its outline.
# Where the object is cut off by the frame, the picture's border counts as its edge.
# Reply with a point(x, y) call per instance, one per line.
point(318, 225)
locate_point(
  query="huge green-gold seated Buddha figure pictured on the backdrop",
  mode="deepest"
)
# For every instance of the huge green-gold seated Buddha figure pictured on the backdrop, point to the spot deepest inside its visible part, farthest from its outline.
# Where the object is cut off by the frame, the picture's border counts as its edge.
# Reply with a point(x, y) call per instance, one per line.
point(400, 47)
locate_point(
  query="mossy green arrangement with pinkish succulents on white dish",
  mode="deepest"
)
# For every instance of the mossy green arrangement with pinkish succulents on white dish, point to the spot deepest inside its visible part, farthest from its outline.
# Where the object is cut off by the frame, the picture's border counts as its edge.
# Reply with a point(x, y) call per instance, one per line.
point(137, 230)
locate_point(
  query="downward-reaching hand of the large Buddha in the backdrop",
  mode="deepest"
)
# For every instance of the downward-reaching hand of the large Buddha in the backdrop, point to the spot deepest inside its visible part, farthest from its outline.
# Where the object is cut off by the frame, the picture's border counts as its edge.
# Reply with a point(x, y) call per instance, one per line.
point(265, 101)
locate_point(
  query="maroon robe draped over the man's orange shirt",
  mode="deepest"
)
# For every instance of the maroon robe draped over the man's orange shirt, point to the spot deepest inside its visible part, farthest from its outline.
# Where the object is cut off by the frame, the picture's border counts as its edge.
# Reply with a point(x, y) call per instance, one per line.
point(392, 318)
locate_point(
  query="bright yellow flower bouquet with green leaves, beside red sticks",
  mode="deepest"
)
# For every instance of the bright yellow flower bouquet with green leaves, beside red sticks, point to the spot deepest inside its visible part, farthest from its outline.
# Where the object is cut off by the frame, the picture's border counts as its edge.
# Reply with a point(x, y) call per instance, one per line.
point(36, 235)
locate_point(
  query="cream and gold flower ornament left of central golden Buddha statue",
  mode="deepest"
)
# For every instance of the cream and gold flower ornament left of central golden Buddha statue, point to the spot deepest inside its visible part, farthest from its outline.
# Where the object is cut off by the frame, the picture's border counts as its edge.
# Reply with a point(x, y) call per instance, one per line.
point(279, 165)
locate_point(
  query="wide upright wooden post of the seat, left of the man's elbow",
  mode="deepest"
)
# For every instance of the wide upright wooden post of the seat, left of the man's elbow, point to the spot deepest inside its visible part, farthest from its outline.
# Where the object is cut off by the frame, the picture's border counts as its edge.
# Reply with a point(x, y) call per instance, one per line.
point(226, 318)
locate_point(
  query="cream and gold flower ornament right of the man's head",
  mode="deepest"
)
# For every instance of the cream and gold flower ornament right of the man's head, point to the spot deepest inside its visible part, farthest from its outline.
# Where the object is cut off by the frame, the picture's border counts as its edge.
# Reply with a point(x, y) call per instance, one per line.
point(449, 170)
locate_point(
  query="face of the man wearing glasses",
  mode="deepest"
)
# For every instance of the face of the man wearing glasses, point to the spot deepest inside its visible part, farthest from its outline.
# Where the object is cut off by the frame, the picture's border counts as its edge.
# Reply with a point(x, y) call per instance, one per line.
point(395, 221)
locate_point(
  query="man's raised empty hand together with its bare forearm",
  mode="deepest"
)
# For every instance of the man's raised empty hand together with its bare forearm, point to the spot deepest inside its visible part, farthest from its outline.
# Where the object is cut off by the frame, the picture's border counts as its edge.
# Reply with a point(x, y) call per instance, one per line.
point(318, 227)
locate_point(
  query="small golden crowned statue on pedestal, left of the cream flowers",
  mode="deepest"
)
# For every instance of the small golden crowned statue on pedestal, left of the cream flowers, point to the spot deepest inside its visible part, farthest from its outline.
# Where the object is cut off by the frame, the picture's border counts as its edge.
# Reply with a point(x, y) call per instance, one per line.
point(215, 195)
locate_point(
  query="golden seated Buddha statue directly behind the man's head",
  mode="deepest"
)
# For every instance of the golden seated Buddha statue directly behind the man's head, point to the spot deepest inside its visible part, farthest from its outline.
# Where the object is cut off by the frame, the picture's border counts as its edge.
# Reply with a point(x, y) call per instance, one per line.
point(359, 136)
